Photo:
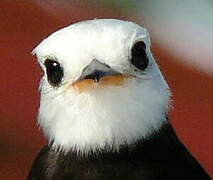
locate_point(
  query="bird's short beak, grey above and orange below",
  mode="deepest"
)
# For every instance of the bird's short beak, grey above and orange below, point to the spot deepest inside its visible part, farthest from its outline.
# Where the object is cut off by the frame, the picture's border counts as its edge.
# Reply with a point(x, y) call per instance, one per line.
point(98, 74)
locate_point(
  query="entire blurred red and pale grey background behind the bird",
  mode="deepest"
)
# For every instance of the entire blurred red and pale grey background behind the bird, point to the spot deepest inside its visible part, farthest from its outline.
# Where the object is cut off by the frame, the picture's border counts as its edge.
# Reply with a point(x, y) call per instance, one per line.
point(182, 42)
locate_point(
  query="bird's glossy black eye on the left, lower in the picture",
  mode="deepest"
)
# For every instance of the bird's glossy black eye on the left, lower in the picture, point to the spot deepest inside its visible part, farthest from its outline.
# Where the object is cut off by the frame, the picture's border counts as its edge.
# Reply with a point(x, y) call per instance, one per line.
point(54, 72)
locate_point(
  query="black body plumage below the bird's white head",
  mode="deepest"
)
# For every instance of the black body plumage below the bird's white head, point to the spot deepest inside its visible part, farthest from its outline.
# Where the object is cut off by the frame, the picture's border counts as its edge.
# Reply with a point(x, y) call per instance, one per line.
point(160, 157)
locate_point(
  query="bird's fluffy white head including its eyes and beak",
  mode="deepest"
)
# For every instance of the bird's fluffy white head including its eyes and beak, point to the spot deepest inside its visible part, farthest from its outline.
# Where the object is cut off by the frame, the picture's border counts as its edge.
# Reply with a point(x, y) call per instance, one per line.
point(101, 86)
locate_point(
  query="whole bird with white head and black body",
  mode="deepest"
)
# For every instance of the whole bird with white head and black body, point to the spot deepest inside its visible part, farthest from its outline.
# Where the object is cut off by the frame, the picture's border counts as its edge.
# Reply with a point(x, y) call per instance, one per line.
point(104, 108)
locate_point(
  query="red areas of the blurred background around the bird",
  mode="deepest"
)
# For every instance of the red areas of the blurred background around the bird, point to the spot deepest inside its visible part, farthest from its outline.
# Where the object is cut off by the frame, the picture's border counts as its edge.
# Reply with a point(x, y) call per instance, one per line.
point(22, 26)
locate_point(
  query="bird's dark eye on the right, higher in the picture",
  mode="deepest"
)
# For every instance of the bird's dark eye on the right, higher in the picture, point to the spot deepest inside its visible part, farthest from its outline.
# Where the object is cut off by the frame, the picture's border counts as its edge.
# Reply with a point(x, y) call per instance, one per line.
point(138, 55)
